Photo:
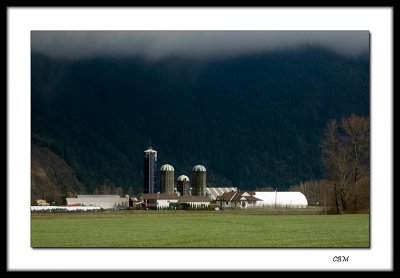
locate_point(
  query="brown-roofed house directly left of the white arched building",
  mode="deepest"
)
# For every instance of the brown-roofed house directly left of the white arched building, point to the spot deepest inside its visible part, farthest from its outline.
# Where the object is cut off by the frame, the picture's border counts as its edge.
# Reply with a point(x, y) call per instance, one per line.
point(236, 199)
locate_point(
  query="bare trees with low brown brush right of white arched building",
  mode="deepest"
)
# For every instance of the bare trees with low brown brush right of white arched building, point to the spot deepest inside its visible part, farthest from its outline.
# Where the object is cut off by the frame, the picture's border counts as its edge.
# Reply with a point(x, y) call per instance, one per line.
point(346, 168)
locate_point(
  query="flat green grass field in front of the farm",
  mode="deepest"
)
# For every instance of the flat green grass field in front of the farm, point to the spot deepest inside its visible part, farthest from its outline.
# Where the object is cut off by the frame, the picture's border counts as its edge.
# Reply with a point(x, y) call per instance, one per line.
point(197, 229)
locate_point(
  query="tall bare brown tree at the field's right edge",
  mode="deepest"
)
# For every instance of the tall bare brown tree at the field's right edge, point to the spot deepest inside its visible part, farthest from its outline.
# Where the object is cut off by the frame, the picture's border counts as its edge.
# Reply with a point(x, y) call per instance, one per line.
point(345, 156)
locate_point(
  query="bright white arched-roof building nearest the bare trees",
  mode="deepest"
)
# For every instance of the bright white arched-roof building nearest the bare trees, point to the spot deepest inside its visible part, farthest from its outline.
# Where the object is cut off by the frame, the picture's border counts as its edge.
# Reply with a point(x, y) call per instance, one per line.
point(281, 199)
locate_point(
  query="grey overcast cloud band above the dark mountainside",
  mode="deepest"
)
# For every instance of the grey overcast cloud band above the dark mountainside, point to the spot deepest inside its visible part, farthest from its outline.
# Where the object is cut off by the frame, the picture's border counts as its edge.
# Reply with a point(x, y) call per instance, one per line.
point(198, 44)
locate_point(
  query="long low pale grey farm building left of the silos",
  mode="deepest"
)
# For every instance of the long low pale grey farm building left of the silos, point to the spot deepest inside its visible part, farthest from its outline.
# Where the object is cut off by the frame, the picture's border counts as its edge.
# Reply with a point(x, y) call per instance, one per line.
point(103, 201)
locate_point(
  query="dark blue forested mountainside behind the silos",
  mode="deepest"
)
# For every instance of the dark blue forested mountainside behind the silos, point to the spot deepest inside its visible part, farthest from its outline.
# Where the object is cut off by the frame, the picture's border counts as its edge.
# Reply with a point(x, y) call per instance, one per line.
point(253, 121)
